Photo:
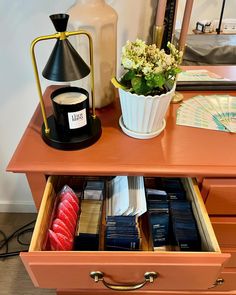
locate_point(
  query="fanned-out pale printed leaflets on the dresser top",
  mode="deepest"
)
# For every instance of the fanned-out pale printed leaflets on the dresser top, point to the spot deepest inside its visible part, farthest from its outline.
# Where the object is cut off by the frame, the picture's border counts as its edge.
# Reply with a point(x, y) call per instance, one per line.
point(216, 112)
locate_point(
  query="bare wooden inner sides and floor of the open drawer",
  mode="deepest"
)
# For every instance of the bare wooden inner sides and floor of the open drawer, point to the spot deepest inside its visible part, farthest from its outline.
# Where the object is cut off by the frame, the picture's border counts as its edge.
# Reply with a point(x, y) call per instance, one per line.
point(55, 183)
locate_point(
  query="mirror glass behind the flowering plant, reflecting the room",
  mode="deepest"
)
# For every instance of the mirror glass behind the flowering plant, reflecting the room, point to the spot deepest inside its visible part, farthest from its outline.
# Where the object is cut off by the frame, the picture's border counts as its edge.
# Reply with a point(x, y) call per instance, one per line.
point(210, 42)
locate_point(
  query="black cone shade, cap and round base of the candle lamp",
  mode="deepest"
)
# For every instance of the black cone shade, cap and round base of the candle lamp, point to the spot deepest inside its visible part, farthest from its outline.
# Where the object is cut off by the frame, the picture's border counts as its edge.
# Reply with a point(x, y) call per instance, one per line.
point(65, 64)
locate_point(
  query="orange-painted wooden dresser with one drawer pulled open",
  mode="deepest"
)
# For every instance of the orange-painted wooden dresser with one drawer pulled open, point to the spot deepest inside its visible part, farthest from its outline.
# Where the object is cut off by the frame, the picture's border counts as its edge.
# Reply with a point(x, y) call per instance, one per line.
point(179, 151)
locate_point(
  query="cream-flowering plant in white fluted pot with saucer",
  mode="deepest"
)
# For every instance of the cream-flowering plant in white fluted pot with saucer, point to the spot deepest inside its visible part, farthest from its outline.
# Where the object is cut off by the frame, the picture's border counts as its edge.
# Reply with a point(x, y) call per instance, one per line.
point(147, 87)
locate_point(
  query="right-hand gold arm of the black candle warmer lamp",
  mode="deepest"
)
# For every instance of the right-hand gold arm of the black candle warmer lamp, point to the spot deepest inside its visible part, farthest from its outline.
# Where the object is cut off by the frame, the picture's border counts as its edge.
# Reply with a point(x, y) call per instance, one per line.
point(91, 63)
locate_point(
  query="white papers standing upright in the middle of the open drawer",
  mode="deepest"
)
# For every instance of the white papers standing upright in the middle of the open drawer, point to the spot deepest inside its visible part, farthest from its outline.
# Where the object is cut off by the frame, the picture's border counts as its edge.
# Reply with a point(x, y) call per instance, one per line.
point(126, 196)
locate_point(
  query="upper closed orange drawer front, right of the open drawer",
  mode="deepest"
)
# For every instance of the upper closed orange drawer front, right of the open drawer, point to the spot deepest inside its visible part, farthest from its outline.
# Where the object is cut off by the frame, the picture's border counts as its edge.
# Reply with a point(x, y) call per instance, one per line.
point(219, 196)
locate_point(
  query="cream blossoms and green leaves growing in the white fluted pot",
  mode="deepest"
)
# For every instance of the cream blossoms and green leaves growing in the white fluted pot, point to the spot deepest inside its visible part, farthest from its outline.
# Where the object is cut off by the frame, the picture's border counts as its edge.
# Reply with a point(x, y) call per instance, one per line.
point(158, 68)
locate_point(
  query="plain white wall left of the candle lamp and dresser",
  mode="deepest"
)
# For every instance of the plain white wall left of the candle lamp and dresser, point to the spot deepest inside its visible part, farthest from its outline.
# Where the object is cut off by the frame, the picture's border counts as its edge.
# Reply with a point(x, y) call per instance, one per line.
point(21, 22)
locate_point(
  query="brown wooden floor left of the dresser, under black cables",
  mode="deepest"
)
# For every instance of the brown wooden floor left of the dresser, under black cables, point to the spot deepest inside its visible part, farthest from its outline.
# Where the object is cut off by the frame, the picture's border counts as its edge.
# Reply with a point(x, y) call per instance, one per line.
point(14, 279)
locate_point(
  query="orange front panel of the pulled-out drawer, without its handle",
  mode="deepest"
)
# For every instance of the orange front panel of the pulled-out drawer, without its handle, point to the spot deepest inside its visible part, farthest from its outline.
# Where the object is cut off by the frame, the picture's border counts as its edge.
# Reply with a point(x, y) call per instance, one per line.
point(72, 270)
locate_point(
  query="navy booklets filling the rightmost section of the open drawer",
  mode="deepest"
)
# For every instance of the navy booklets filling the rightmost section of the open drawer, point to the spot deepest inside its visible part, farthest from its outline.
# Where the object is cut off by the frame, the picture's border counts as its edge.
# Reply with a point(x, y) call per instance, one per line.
point(171, 220)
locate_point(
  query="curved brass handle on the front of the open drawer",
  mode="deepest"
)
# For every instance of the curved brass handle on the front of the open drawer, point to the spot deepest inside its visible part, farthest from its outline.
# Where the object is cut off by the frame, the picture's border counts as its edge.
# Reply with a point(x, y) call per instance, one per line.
point(148, 278)
